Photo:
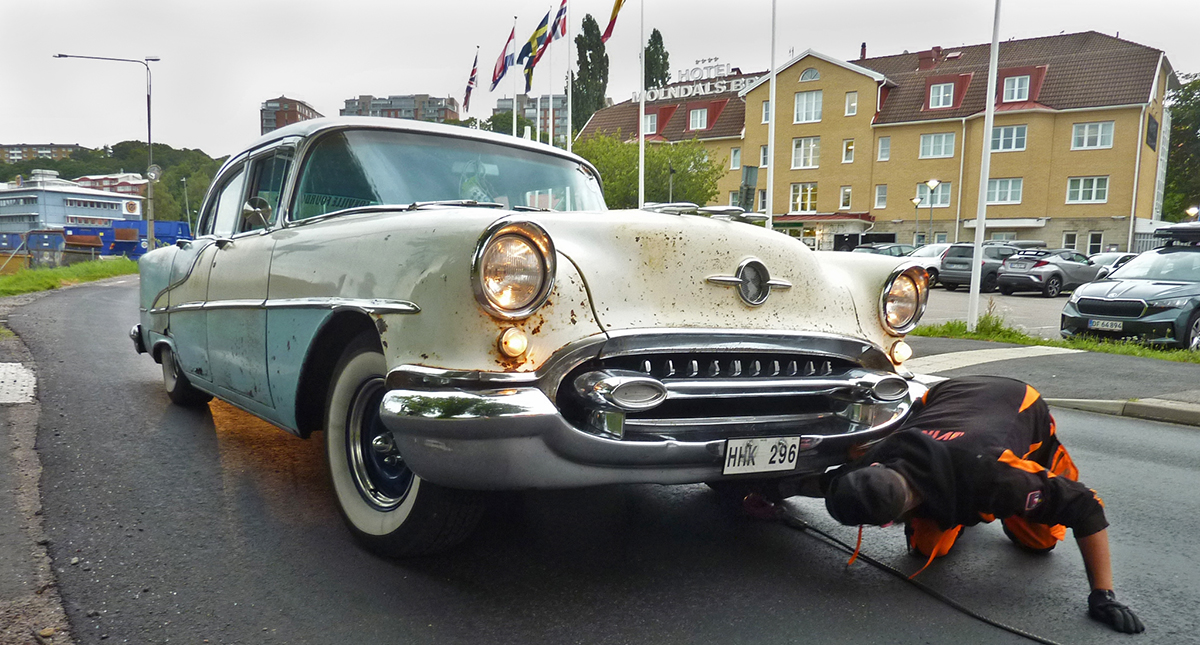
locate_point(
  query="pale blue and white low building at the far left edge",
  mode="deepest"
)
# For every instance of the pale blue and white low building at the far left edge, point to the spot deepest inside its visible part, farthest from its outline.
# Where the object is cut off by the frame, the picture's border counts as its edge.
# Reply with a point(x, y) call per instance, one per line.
point(46, 202)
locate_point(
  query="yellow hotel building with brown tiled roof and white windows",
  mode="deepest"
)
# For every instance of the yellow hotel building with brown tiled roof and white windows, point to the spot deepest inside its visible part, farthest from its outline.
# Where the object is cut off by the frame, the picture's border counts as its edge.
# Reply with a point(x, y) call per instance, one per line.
point(1079, 143)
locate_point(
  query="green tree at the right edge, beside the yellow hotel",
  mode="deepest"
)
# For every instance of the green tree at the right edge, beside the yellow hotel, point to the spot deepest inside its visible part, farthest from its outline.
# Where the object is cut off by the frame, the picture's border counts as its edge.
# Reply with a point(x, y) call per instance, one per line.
point(1183, 189)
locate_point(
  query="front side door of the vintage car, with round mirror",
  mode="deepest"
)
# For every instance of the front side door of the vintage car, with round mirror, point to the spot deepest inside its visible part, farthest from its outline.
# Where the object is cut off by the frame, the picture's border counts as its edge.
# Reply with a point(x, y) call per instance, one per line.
point(239, 280)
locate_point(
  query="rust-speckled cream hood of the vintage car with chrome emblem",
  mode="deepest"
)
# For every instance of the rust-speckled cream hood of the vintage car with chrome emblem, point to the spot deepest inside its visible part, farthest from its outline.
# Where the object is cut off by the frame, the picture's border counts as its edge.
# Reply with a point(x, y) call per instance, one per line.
point(652, 270)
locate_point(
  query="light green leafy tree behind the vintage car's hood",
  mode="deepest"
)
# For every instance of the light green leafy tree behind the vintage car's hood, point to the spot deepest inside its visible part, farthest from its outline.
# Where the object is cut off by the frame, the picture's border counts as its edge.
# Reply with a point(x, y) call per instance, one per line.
point(695, 174)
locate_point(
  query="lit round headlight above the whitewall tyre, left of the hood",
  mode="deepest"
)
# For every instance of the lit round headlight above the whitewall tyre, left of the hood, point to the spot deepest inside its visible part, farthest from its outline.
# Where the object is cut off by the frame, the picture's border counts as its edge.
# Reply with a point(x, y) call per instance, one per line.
point(514, 269)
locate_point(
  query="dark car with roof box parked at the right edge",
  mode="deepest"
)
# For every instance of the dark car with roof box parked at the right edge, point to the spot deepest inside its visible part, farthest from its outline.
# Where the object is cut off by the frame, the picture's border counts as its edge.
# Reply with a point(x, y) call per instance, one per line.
point(1153, 299)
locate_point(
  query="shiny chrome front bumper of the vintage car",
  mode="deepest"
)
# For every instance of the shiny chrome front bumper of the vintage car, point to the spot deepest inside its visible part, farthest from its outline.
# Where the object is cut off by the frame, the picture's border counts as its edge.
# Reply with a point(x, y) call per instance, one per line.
point(506, 432)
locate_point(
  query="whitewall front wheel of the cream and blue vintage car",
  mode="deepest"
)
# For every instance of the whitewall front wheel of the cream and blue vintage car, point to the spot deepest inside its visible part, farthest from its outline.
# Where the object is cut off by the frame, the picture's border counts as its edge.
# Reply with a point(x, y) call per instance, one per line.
point(387, 508)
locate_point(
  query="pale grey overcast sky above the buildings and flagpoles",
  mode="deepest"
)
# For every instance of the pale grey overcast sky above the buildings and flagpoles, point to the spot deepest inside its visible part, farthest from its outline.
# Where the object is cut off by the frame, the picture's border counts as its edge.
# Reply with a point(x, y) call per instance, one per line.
point(223, 58)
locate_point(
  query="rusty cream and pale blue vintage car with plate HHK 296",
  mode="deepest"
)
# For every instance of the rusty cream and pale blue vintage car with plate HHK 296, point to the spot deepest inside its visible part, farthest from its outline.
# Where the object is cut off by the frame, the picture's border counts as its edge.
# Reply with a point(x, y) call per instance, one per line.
point(458, 312)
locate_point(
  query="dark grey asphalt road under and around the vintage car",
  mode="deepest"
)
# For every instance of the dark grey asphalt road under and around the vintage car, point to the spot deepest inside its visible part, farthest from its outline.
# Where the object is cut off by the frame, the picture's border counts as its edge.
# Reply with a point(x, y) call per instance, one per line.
point(195, 527)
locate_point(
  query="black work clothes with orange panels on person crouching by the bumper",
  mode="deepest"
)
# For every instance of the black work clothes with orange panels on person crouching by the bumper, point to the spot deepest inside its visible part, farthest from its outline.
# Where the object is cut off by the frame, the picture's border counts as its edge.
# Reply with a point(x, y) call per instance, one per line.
point(983, 448)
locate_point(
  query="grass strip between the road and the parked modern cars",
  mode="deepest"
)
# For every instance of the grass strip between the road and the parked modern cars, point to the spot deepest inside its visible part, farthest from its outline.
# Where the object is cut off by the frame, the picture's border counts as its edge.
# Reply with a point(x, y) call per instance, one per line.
point(992, 328)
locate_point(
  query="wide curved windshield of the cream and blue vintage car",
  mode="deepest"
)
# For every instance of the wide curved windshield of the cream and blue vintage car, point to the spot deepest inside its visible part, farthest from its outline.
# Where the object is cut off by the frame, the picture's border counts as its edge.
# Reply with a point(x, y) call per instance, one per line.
point(353, 168)
